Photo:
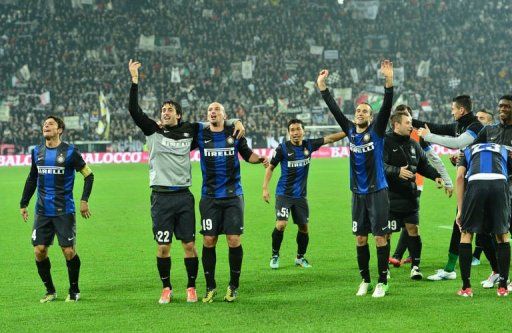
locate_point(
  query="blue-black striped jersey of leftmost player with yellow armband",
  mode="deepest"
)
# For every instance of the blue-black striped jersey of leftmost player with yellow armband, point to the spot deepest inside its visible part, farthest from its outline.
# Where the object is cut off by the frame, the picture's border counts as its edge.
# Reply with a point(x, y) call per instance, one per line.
point(55, 171)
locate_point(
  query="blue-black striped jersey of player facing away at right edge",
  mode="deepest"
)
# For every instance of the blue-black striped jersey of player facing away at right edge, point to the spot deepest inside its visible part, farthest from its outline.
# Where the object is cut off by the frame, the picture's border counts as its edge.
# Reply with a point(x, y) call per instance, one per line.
point(485, 161)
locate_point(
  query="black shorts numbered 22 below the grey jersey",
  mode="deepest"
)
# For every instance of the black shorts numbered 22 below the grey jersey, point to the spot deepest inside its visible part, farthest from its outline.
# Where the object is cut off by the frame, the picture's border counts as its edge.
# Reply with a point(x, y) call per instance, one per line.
point(173, 213)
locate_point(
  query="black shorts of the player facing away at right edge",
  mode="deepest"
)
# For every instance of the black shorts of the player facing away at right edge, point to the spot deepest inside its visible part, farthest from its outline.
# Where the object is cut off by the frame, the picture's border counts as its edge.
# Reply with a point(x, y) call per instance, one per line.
point(486, 207)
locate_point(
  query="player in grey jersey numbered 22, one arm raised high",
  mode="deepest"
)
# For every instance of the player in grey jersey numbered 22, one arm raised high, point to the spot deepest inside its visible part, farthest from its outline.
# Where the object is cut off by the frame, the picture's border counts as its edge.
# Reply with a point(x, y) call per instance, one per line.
point(172, 203)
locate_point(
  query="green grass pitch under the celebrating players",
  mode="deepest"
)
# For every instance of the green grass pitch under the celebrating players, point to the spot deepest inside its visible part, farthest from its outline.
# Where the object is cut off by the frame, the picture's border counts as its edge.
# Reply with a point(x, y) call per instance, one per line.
point(120, 285)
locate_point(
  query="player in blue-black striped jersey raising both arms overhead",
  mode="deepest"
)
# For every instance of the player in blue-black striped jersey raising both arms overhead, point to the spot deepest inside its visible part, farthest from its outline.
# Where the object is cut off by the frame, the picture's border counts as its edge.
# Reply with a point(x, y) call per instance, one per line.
point(370, 203)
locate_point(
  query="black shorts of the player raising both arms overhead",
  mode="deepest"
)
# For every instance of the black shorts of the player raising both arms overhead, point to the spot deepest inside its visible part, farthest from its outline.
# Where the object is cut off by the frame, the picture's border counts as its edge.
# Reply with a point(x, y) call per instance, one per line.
point(370, 213)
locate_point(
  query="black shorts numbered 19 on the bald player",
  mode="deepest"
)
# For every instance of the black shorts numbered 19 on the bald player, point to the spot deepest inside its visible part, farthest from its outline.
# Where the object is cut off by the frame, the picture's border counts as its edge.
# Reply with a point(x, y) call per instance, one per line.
point(222, 216)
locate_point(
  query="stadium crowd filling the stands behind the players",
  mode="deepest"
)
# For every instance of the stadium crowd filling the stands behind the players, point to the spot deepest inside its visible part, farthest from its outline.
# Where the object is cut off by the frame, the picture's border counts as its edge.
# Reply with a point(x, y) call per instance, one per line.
point(75, 49)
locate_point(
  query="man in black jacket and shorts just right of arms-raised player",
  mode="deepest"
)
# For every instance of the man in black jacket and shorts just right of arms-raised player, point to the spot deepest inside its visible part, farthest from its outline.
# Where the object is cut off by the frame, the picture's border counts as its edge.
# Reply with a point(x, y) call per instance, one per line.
point(403, 158)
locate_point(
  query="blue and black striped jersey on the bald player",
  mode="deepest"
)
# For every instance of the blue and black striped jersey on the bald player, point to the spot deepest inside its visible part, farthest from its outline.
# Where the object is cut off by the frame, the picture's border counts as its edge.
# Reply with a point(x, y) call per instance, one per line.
point(219, 162)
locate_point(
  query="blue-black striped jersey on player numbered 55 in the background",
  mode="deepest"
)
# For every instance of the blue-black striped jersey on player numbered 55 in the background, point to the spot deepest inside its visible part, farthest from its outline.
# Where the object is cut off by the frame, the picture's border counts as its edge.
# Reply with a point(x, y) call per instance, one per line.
point(294, 166)
